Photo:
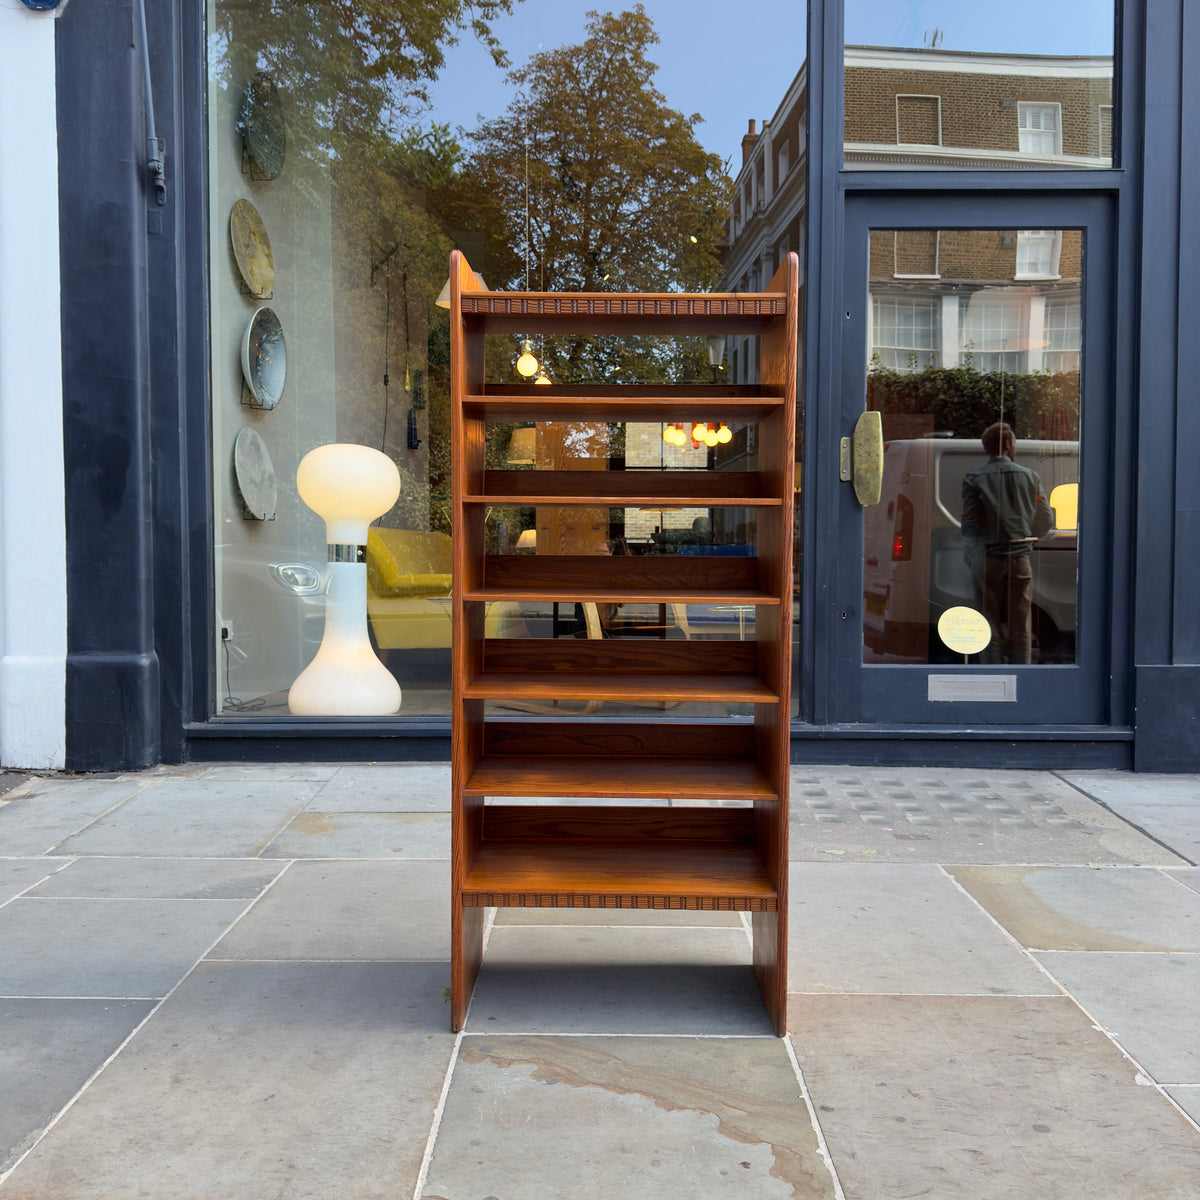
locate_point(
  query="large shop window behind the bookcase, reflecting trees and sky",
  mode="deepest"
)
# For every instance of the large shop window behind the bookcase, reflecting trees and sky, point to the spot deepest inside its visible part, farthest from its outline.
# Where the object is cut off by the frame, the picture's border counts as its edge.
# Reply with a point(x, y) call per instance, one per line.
point(351, 149)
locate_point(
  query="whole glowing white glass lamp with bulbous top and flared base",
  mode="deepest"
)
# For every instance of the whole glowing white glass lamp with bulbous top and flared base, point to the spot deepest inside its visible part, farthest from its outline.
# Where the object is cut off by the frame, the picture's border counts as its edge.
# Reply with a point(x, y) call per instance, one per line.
point(349, 487)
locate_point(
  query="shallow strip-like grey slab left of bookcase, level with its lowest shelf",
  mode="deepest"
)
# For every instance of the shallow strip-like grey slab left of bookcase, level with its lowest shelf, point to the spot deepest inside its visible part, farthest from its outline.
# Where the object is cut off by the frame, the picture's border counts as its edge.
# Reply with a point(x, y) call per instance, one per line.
point(161, 879)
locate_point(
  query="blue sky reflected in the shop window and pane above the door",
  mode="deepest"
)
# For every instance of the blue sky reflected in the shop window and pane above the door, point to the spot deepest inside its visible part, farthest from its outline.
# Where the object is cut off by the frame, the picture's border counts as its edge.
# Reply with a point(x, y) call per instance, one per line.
point(733, 62)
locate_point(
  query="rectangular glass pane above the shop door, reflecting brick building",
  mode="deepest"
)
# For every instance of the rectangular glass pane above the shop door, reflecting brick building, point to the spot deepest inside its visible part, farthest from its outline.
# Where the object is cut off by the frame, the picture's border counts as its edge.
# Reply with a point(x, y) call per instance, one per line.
point(939, 85)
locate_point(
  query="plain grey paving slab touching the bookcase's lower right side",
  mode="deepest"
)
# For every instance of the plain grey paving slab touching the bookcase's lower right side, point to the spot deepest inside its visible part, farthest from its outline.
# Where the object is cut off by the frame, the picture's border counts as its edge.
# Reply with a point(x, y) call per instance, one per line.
point(898, 928)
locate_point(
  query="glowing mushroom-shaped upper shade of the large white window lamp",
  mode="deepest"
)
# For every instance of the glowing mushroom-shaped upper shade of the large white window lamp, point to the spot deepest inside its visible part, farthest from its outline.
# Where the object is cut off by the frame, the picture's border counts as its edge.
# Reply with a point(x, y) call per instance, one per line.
point(350, 487)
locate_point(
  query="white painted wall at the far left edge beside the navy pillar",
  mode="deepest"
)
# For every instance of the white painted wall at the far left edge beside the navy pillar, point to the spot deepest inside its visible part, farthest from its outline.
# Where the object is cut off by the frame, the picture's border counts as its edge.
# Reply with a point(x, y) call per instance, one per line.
point(33, 531)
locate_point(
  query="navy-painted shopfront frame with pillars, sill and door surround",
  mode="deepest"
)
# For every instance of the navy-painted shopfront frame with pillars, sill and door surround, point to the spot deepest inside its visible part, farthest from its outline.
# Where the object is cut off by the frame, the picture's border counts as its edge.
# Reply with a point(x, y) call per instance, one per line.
point(135, 290)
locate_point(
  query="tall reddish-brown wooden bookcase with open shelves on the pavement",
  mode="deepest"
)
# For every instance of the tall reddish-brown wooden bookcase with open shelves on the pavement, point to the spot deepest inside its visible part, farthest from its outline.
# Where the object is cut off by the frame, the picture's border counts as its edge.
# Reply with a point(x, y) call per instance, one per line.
point(716, 857)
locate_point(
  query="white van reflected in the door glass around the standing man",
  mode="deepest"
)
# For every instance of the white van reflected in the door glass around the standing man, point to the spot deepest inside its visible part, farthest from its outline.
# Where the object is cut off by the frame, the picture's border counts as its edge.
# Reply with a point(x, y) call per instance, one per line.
point(916, 563)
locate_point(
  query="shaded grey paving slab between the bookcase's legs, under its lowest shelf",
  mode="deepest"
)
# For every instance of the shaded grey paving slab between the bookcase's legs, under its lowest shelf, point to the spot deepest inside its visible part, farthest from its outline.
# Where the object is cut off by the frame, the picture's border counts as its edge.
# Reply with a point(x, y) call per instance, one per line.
point(574, 980)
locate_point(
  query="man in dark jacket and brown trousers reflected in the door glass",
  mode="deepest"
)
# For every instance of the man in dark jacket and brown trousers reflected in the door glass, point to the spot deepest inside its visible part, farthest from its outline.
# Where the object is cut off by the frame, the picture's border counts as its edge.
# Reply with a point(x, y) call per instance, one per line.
point(1004, 515)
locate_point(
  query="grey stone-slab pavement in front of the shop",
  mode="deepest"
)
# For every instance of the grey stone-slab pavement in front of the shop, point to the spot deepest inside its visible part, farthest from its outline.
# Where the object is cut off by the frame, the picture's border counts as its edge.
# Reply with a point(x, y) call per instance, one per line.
point(230, 982)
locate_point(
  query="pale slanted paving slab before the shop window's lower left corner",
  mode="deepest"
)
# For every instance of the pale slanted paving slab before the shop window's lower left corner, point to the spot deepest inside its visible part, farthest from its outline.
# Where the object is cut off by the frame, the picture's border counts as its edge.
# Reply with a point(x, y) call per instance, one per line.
point(196, 819)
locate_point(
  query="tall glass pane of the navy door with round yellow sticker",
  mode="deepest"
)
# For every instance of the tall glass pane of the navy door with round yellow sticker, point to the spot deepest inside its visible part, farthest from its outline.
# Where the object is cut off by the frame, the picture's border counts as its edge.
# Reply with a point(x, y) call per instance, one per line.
point(977, 376)
